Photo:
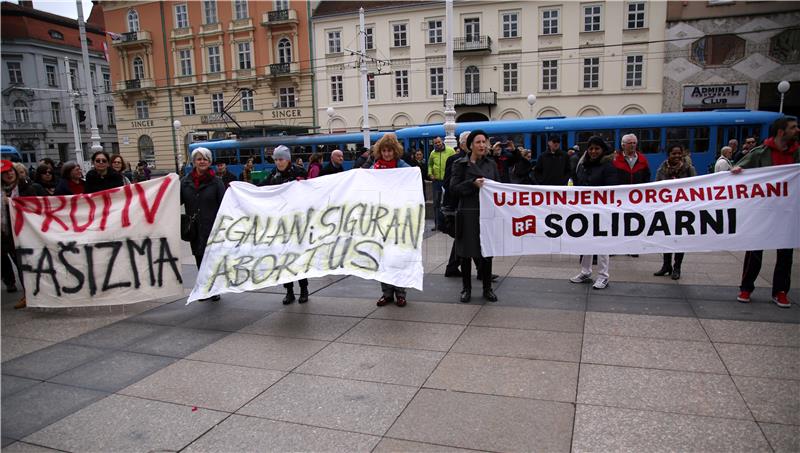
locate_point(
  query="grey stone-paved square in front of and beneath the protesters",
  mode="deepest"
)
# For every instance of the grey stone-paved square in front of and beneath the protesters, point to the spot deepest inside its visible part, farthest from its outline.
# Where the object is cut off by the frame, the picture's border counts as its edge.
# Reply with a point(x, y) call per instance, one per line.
point(649, 364)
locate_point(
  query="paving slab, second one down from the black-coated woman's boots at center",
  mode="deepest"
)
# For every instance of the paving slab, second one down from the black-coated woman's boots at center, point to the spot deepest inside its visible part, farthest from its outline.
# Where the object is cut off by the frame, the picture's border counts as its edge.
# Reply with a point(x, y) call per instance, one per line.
point(528, 344)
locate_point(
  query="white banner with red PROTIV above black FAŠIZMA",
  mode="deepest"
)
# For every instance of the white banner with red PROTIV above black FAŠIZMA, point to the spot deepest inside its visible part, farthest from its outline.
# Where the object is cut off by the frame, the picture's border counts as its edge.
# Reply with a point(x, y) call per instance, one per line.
point(118, 246)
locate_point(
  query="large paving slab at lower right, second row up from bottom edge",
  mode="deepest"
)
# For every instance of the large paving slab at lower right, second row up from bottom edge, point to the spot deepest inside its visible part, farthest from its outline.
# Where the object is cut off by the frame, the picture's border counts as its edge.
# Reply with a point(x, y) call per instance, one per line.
point(664, 391)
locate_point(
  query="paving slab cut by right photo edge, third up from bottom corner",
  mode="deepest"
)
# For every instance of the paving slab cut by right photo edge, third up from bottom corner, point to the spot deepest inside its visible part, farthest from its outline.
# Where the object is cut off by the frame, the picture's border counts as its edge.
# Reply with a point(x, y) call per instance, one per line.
point(761, 361)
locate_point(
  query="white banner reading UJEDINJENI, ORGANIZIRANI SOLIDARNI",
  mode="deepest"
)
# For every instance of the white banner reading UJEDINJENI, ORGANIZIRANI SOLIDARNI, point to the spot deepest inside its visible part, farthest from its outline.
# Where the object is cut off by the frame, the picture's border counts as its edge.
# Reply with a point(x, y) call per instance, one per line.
point(756, 210)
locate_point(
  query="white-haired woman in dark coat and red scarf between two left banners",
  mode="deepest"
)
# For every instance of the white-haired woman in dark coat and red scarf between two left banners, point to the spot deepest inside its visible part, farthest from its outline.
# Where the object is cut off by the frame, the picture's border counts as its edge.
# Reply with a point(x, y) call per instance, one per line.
point(201, 193)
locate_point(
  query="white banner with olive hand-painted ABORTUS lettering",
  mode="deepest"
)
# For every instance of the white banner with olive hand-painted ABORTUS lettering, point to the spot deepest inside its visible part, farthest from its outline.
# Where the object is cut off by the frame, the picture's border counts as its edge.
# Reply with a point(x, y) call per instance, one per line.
point(367, 223)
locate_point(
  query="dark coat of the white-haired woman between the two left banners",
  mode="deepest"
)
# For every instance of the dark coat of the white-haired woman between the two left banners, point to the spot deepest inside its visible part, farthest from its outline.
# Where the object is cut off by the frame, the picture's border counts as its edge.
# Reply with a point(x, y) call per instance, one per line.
point(207, 199)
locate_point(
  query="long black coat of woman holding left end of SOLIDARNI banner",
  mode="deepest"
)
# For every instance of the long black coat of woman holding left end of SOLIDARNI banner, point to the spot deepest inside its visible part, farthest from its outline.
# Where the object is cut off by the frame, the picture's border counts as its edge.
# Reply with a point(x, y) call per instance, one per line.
point(468, 231)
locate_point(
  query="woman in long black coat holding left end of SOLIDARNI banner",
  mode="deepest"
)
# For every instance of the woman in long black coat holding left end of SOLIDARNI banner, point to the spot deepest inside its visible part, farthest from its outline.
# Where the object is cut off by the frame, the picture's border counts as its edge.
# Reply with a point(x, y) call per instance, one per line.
point(469, 173)
